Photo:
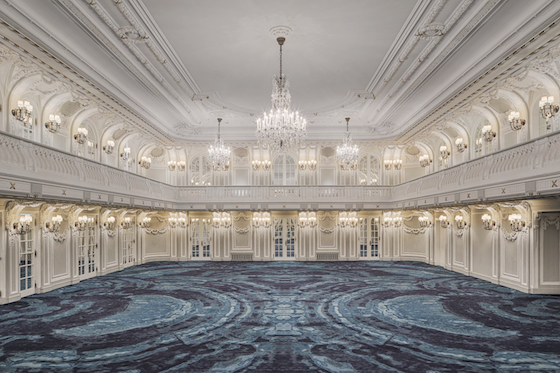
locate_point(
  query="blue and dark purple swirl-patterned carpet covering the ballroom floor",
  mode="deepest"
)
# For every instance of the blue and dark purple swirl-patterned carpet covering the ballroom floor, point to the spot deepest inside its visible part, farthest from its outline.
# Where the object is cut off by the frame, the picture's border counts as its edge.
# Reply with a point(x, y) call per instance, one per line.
point(281, 317)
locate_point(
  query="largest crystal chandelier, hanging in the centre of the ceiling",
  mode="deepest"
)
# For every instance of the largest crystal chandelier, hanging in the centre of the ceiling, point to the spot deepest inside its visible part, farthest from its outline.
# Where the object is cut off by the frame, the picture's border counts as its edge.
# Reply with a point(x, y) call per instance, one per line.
point(281, 128)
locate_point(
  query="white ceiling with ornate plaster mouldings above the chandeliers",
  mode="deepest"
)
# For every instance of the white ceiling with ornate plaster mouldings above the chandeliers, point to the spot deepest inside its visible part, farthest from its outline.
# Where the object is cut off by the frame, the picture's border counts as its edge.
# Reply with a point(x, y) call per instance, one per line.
point(174, 66)
